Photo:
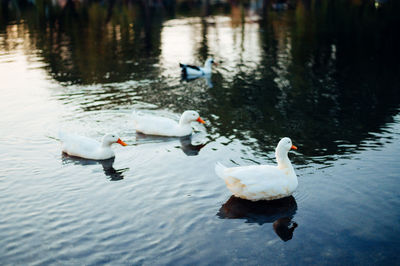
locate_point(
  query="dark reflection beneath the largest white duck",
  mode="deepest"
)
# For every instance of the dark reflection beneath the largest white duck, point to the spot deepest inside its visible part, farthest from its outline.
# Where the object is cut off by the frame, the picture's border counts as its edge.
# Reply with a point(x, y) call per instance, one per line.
point(279, 212)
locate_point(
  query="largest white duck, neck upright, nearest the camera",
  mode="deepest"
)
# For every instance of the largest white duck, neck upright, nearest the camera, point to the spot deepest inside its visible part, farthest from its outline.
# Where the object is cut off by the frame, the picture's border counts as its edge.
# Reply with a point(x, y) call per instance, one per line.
point(262, 182)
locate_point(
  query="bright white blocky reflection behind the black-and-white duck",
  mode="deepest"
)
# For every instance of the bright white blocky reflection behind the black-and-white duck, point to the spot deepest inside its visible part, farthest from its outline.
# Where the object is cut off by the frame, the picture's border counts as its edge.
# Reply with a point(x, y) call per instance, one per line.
point(237, 48)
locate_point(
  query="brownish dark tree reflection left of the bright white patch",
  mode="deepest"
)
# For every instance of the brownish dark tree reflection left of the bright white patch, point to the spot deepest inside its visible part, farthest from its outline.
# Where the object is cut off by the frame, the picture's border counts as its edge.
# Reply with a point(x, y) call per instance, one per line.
point(94, 43)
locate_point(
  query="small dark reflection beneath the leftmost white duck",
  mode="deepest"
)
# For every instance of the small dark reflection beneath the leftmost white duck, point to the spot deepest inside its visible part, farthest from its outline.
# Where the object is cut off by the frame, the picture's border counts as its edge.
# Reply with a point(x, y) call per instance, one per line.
point(109, 170)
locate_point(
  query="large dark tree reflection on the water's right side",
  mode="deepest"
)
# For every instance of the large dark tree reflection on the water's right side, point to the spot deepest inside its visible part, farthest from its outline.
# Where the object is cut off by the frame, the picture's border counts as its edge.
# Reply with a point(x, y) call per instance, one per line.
point(325, 82)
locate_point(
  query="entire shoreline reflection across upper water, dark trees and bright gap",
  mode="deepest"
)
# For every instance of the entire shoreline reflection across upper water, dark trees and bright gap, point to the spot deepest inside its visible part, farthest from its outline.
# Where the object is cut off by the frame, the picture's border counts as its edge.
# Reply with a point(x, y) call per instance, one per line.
point(267, 67)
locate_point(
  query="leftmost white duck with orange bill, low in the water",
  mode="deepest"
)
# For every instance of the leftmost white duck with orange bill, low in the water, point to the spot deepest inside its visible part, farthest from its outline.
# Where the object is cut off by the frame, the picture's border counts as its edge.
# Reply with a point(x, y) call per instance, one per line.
point(88, 148)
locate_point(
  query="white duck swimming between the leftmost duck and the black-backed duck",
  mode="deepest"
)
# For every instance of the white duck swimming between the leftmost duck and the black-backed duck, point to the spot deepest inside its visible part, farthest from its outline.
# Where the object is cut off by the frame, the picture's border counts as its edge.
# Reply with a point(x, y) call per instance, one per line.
point(162, 126)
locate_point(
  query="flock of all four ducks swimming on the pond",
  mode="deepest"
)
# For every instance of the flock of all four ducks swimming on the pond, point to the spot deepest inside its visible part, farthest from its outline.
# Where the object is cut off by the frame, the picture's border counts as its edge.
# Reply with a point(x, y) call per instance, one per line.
point(254, 182)
